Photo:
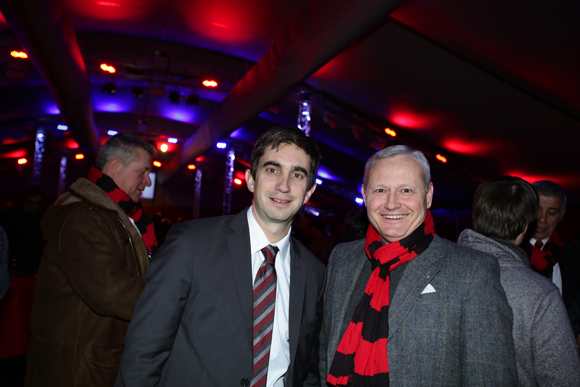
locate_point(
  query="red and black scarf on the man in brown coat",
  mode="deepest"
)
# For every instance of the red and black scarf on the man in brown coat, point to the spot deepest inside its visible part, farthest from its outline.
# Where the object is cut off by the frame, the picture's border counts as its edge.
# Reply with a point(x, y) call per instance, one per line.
point(134, 210)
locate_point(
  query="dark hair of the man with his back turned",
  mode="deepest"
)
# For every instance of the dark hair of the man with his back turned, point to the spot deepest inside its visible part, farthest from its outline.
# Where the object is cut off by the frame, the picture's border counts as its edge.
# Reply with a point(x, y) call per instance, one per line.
point(504, 206)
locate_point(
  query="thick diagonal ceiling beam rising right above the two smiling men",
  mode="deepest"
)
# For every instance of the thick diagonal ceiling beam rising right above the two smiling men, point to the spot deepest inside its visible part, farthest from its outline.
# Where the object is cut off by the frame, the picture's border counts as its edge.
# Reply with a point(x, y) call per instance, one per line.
point(319, 33)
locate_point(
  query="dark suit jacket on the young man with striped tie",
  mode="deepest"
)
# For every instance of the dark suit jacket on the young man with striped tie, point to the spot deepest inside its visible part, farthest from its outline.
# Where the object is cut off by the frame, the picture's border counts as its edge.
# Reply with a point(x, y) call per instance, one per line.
point(192, 325)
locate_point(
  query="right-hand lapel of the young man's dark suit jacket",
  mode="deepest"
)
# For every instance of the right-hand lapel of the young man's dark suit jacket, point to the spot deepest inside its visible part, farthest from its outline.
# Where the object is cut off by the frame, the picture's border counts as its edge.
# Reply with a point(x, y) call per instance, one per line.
point(297, 289)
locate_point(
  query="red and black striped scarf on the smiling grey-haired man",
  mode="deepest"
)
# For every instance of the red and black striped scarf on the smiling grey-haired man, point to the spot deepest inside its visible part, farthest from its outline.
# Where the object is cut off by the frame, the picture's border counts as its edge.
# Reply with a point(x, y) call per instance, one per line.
point(361, 356)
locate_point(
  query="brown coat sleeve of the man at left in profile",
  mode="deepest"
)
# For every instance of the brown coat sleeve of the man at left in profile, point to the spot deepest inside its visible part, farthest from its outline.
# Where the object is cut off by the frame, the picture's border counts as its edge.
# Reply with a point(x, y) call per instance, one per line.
point(94, 252)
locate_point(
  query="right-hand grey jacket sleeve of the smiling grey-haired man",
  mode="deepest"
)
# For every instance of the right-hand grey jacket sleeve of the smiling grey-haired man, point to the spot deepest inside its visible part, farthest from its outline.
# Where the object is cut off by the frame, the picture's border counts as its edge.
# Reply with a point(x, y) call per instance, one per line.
point(486, 348)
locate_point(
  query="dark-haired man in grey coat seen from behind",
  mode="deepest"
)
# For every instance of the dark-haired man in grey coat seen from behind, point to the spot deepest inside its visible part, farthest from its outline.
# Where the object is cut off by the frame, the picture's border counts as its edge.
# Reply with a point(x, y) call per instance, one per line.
point(546, 352)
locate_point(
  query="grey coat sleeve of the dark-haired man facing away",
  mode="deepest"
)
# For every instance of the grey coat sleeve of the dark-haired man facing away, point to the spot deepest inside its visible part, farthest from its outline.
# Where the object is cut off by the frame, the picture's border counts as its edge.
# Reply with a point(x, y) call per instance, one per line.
point(555, 352)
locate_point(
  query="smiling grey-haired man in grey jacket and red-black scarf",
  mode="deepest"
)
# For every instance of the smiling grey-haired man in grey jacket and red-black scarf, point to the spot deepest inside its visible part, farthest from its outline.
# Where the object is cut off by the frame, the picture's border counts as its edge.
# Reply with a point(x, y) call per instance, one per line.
point(406, 307)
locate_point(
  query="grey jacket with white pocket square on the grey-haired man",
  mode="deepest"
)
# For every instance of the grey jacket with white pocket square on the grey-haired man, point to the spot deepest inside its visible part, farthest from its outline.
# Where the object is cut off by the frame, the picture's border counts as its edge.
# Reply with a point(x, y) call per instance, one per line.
point(454, 332)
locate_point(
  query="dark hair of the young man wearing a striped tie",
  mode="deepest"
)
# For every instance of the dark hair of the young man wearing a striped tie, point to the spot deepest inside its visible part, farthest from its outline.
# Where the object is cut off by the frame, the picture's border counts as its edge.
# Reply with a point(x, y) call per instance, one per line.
point(280, 135)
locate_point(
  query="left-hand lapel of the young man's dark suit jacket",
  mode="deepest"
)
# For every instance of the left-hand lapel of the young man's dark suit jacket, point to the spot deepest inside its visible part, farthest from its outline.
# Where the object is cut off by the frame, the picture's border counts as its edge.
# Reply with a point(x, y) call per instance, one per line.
point(238, 240)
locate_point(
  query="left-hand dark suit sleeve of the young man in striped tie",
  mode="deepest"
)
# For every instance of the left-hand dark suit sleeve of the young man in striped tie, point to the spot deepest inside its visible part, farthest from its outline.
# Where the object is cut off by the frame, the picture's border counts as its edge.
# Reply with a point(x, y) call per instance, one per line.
point(158, 313)
